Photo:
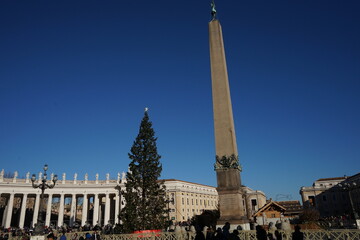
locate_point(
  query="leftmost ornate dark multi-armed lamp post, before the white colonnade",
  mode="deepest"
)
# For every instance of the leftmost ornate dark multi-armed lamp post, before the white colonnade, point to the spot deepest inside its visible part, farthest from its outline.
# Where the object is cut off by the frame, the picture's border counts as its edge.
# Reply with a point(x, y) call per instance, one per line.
point(39, 229)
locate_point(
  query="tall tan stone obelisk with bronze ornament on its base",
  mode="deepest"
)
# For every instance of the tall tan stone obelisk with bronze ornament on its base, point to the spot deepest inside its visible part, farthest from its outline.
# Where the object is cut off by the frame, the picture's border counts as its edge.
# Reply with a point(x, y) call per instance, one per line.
point(227, 167)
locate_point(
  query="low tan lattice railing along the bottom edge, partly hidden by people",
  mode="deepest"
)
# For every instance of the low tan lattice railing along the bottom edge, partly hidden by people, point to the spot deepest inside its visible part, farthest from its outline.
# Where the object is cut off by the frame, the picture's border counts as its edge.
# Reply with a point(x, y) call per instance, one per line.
point(343, 234)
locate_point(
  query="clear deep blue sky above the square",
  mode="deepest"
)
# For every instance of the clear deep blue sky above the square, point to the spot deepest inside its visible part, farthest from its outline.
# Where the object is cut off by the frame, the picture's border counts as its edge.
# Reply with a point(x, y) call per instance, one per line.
point(75, 77)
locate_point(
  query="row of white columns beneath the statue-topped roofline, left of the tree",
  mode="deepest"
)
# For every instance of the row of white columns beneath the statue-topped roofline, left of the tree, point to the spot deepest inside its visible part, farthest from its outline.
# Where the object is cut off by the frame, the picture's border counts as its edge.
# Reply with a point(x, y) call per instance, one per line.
point(103, 206)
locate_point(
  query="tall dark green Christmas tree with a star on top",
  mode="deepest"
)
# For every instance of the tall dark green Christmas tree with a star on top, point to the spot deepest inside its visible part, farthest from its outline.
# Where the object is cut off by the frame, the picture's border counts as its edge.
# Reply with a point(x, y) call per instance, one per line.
point(145, 206)
